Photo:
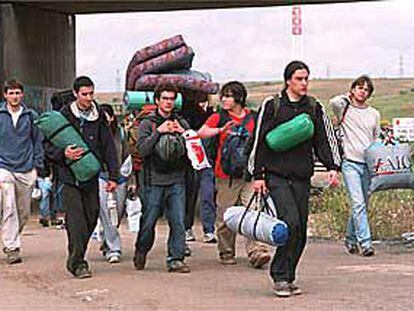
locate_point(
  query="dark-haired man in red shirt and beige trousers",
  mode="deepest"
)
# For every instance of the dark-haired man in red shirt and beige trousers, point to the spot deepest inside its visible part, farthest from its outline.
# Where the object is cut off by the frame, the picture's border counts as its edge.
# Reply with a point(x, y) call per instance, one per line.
point(231, 188)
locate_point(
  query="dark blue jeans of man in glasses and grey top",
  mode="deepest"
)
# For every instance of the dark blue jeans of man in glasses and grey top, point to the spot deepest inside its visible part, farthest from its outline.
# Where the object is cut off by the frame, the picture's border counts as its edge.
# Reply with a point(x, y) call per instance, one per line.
point(155, 200)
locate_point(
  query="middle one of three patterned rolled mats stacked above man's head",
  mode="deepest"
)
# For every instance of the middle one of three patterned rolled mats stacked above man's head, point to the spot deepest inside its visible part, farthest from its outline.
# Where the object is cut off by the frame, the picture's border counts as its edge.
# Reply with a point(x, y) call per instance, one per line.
point(180, 58)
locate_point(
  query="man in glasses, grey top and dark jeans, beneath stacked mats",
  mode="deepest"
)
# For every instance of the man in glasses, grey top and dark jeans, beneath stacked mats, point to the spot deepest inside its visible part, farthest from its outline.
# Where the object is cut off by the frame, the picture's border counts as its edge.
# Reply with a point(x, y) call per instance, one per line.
point(163, 185)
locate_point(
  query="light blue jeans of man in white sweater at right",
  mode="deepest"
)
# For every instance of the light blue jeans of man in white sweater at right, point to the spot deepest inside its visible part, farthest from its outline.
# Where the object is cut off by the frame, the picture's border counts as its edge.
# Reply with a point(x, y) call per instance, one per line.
point(356, 179)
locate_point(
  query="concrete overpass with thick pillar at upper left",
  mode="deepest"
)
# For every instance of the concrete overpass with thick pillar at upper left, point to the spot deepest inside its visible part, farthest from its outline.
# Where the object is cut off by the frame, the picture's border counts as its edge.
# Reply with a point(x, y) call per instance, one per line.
point(37, 37)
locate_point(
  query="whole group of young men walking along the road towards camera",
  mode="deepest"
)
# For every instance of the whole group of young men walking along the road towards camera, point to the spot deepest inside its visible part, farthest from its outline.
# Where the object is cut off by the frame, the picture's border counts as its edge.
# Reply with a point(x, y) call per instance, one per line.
point(167, 187)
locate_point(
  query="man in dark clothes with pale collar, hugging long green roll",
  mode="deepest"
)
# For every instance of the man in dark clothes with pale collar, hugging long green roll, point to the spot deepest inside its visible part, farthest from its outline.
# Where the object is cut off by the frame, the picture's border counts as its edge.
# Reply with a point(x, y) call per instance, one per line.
point(81, 200)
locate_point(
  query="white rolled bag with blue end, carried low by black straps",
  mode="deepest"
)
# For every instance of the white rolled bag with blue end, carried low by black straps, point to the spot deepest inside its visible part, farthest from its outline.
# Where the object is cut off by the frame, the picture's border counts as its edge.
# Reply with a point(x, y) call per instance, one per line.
point(256, 225)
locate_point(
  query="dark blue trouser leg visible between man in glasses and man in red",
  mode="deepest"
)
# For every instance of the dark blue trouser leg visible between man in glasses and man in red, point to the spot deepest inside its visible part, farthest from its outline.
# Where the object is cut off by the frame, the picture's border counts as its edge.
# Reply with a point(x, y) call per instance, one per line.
point(208, 200)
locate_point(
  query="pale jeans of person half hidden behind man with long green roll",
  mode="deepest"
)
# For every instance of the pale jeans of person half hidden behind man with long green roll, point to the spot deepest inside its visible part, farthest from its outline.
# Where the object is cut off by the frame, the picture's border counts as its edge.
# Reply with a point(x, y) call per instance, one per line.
point(111, 237)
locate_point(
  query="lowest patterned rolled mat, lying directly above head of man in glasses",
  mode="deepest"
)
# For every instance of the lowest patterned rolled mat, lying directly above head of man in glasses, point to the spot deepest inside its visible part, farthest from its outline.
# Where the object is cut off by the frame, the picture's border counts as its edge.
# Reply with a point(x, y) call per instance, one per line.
point(148, 82)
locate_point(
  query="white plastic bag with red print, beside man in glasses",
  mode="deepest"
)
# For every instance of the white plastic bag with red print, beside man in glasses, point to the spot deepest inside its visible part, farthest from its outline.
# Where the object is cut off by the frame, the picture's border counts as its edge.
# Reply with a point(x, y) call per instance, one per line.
point(195, 150)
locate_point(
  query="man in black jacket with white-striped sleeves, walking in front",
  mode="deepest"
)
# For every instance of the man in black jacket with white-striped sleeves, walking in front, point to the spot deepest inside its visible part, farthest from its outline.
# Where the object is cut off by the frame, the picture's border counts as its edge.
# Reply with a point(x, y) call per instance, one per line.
point(286, 174)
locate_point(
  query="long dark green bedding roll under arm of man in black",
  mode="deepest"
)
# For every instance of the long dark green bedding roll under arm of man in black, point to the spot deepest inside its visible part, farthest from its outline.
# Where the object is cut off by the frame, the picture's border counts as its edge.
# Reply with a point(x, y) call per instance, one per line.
point(58, 130)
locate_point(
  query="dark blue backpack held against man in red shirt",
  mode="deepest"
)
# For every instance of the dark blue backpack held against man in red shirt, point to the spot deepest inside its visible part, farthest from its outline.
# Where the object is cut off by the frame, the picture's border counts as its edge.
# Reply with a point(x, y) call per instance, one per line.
point(234, 156)
